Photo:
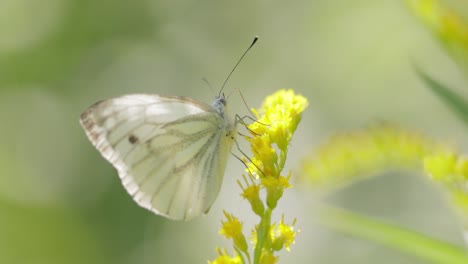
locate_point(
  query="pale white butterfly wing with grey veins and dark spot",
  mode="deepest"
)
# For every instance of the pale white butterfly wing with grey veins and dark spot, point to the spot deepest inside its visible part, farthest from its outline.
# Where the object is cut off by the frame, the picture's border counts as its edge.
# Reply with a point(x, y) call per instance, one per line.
point(170, 152)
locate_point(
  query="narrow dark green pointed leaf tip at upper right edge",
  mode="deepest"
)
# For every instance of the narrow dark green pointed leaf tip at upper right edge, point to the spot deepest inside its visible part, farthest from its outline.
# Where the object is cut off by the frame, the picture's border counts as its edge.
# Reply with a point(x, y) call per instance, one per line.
point(452, 99)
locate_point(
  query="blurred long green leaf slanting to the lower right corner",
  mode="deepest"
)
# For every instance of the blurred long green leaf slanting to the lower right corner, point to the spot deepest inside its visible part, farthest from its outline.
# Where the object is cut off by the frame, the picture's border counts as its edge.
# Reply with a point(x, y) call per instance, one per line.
point(392, 236)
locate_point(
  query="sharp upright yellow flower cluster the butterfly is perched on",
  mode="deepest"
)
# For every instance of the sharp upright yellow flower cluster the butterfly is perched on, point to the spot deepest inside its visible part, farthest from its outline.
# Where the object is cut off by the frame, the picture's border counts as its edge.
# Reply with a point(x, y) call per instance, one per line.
point(269, 139)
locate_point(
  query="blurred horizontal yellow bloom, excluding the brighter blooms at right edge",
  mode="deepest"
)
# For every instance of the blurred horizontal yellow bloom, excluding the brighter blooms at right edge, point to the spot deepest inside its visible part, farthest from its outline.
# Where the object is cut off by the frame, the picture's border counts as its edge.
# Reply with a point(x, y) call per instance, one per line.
point(348, 156)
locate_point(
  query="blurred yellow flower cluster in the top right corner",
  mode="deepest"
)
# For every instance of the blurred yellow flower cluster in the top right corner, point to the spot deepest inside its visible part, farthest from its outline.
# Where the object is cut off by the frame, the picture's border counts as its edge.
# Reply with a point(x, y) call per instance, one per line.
point(448, 27)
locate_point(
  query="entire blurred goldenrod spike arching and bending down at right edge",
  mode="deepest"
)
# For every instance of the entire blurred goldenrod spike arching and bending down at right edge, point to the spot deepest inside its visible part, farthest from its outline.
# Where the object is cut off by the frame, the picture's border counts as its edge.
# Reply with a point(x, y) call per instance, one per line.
point(348, 157)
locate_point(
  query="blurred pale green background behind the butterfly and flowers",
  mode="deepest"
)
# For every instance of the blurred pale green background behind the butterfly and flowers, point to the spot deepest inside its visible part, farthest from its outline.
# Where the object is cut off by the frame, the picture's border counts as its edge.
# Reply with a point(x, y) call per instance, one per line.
point(60, 202)
